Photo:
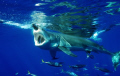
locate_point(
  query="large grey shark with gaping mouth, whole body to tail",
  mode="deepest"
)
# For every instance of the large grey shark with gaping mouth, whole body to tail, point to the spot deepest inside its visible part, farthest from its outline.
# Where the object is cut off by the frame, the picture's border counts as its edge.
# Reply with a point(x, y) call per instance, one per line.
point(54, 42)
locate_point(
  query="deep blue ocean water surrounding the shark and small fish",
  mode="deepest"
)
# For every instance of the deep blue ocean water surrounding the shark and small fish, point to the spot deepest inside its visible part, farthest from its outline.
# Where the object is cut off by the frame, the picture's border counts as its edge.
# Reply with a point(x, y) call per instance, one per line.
point(18, 53)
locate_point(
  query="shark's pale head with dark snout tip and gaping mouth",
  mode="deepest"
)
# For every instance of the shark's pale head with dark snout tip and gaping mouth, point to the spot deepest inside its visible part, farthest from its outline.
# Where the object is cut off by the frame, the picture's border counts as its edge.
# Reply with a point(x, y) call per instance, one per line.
point(41, 37)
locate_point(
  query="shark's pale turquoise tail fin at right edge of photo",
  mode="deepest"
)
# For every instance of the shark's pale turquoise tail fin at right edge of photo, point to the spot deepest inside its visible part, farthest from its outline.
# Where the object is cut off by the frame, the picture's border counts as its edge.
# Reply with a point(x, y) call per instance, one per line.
point(116, 59)
